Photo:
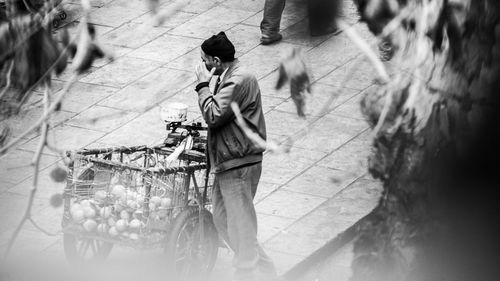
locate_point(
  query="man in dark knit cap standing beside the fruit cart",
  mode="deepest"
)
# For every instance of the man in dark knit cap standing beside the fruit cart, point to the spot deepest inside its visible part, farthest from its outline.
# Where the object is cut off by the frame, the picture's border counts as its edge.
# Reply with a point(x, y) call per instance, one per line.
point(236, 162)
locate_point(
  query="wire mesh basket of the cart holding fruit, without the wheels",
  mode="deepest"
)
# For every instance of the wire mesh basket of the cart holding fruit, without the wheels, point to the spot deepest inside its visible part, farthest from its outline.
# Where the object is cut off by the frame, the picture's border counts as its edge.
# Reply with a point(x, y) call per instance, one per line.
point(130, 195)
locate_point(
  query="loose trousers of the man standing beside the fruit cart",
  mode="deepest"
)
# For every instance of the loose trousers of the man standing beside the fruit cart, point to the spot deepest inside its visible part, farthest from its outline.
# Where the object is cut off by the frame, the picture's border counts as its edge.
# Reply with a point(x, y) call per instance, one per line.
point(236, 221)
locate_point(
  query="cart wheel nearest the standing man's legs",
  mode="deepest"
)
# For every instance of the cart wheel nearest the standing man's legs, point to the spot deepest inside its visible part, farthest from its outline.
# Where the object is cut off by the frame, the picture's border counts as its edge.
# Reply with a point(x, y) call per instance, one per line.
point(190, 255)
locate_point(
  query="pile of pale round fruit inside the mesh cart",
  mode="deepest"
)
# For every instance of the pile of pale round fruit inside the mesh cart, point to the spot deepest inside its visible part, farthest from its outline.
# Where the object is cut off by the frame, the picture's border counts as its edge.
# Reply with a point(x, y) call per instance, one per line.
point(118, 212)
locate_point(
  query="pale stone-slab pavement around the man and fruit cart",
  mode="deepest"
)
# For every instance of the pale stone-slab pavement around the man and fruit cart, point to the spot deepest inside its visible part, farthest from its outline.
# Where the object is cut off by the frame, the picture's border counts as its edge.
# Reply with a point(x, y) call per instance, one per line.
point(305, 197)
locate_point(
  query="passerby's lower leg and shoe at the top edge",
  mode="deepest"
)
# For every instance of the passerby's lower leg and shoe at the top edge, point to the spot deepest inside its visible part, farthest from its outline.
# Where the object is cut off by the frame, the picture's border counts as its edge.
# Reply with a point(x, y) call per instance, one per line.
point(270, 25)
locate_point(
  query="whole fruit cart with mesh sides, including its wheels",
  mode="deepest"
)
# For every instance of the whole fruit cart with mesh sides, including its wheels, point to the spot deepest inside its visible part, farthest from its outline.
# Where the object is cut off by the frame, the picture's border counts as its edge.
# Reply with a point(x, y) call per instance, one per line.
point(183, 226)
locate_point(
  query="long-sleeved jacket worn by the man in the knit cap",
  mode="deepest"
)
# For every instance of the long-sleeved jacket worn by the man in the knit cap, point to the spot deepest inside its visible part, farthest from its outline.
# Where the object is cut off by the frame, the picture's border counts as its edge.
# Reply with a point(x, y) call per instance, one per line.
point(228, 146)
